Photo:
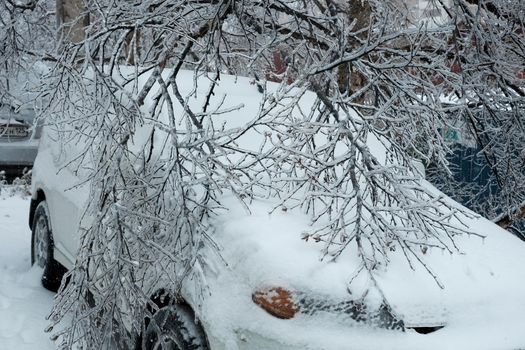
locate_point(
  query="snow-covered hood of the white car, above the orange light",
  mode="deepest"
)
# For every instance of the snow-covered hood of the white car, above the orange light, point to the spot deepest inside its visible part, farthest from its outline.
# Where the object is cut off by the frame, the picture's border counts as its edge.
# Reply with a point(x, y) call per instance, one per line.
point(266, 250)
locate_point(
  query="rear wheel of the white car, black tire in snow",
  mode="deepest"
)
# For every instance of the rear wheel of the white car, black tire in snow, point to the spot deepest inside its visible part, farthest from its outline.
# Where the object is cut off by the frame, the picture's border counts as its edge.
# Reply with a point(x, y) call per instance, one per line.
point(42, 249)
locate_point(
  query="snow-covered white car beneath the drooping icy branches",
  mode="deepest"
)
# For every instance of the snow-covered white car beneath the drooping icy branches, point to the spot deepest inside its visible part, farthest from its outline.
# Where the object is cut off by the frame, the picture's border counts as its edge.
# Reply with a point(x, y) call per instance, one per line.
point(273, 291)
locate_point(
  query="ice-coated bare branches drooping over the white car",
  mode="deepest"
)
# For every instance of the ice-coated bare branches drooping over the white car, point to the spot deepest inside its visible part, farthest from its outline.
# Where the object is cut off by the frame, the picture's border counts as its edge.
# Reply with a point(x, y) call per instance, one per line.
point(160, 147)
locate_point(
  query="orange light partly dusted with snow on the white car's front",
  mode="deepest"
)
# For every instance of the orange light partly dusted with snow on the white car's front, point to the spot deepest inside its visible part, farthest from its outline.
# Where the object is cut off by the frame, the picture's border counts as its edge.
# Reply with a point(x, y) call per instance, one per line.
point(277, 301)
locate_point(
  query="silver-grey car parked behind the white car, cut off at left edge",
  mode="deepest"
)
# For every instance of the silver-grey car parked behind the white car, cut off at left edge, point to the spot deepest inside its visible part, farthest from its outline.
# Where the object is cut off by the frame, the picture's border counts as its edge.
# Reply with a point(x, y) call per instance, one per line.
point(18, 146)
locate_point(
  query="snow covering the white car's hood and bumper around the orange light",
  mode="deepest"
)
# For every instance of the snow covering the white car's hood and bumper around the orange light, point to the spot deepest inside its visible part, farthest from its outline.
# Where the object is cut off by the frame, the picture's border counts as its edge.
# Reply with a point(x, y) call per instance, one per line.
point(481, 304)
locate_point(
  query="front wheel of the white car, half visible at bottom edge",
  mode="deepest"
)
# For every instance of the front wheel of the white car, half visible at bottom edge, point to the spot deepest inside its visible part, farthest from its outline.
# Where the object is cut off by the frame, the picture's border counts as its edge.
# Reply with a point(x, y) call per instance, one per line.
point(173, 327)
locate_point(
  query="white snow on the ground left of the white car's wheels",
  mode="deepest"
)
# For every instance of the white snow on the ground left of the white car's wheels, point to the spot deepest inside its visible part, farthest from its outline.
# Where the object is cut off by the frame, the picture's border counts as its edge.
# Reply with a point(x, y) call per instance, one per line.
point(24, 303)
